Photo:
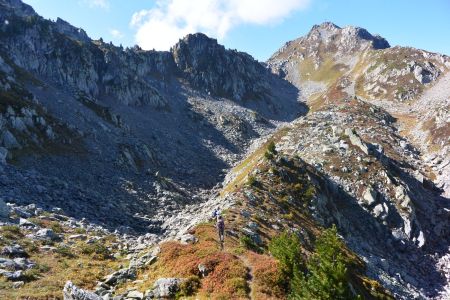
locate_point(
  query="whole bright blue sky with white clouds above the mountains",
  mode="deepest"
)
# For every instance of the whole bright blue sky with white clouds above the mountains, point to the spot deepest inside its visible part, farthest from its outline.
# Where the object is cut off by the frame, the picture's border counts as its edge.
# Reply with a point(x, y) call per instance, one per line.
point(258, 27)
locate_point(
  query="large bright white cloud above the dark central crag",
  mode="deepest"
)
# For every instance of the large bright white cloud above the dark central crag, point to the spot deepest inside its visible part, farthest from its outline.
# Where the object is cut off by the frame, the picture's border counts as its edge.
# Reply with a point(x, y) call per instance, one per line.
point(162, 26)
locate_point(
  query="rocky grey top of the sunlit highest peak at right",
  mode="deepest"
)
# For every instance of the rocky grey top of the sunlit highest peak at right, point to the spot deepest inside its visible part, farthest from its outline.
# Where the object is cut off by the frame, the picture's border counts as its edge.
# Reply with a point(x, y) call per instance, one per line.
point(349, 37)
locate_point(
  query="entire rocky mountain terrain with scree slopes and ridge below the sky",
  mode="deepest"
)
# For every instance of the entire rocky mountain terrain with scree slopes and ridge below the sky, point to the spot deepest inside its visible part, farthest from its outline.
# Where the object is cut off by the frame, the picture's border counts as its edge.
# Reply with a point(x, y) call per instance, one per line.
point(330, 164)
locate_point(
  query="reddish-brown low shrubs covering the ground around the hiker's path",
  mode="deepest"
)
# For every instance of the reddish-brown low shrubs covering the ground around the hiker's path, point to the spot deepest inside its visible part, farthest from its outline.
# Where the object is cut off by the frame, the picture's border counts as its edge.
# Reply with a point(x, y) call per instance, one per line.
point(227, 273)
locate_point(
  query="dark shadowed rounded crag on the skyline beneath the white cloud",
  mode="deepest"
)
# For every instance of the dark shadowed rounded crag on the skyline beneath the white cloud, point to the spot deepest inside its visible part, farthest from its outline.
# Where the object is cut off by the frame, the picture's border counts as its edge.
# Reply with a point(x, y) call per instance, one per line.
point(206, 64)
